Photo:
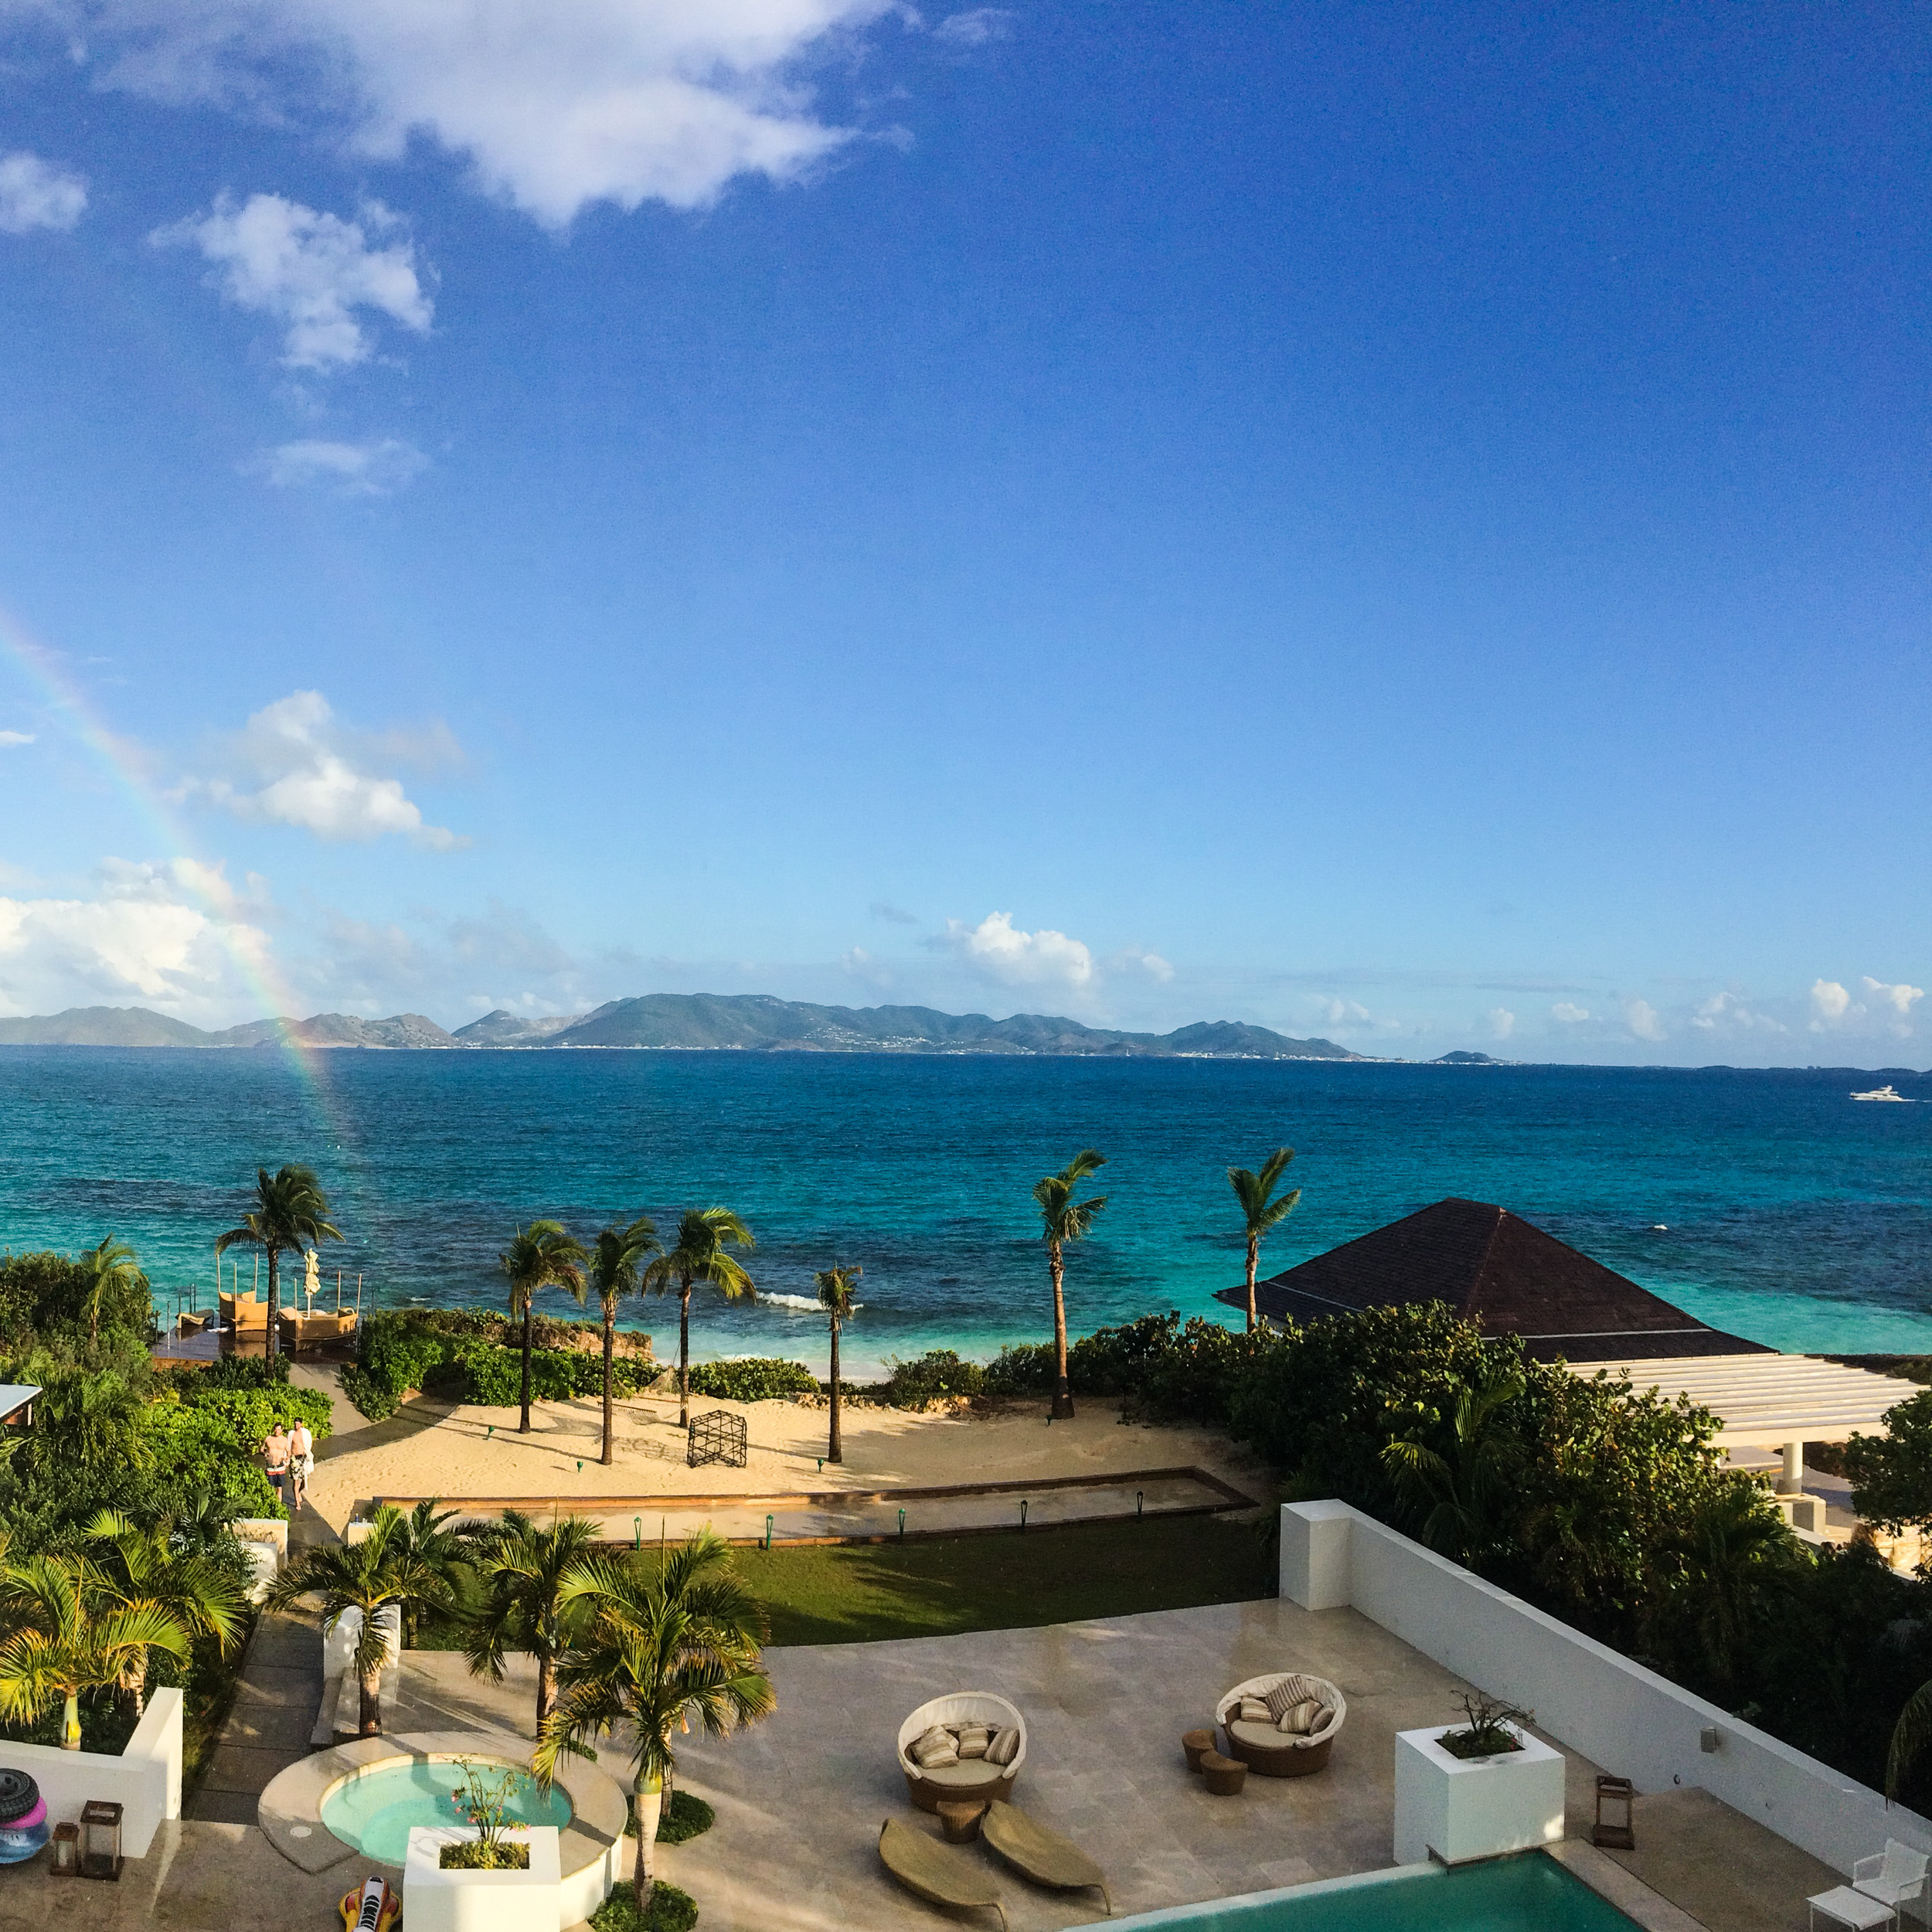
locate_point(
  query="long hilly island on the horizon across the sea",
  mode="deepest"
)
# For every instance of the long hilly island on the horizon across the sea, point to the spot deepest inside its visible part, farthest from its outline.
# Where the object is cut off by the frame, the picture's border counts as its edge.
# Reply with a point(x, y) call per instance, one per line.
point(693, 1023)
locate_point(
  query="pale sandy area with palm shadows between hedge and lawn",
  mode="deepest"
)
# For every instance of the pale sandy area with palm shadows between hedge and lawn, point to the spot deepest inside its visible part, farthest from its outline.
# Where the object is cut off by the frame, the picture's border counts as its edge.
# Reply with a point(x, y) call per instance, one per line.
point(469, 1454)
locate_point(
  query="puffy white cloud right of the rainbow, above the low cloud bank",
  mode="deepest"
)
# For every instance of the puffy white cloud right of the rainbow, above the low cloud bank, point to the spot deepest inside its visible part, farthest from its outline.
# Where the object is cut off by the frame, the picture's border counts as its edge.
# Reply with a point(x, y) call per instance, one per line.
point(308, 774)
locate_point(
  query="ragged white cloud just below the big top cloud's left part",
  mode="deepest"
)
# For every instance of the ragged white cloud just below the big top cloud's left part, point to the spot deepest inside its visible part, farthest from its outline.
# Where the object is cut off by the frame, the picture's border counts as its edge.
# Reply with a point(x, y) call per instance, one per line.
point(308, 270)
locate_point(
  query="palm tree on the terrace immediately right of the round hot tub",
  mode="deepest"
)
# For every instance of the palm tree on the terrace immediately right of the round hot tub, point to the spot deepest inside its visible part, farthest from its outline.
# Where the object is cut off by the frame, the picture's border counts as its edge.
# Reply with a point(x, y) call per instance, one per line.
point(673, 1639)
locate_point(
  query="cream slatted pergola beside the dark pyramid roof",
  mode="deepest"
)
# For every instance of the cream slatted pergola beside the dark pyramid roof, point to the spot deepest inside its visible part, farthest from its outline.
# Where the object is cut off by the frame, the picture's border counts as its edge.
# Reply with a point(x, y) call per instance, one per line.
point(1771, 1402)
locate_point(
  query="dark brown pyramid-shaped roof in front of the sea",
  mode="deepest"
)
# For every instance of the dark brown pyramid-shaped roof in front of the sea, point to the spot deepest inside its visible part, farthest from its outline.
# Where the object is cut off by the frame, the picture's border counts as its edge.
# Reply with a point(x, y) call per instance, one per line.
point(1492, 1266)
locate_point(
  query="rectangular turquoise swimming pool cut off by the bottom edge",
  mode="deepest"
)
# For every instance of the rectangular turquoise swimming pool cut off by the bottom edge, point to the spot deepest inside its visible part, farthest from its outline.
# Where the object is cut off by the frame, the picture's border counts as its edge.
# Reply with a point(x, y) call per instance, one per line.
point(1523, 1894)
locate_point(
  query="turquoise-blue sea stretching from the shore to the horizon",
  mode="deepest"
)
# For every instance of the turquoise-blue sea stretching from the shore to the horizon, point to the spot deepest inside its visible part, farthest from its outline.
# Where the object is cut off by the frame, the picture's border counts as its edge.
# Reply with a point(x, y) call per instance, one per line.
point(1767, 1203)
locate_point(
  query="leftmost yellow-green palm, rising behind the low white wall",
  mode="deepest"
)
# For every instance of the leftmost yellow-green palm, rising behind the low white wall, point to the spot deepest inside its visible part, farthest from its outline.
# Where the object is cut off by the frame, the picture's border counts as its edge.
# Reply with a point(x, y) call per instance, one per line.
point(71, 1630)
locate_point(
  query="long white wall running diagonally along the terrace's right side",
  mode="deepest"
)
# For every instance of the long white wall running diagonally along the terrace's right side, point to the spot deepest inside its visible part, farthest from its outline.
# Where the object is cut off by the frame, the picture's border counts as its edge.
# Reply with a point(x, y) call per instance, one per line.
point(1605, 1707)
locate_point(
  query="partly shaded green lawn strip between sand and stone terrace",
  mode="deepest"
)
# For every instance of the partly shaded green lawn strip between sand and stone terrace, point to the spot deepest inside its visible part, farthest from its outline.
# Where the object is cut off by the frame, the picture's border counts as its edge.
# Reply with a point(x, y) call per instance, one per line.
point(863, 1593)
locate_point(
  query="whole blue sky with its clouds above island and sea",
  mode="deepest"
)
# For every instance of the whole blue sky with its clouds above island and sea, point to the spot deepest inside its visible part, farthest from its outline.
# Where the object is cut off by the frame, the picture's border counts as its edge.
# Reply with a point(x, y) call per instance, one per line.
point(1392, 523)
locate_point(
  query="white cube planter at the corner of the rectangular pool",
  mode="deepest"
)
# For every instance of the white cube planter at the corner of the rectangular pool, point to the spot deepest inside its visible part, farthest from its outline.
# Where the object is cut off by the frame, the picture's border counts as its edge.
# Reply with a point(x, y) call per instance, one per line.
point(1460, 1809)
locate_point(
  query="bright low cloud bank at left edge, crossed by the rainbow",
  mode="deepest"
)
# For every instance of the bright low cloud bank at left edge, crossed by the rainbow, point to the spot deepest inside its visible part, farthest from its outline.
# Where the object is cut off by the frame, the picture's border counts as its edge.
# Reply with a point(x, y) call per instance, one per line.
point(138, 940)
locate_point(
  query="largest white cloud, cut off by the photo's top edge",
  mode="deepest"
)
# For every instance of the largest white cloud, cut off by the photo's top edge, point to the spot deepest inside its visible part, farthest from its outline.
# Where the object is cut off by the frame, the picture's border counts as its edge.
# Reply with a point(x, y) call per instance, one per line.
point(555, 103)
